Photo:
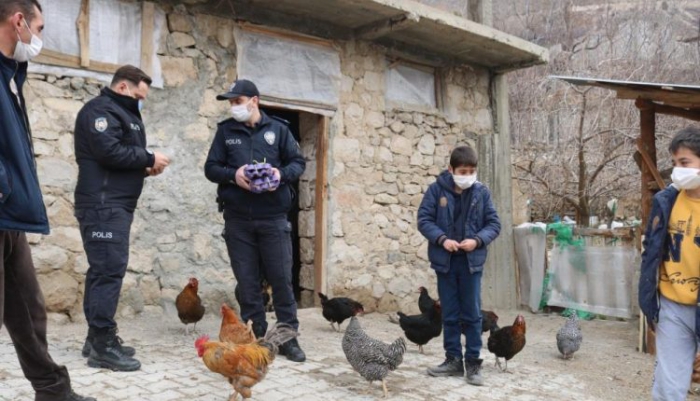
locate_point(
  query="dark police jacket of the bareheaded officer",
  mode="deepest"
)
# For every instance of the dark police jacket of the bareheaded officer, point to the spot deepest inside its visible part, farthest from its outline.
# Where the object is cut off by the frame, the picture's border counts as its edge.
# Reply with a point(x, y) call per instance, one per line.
point(110, 148)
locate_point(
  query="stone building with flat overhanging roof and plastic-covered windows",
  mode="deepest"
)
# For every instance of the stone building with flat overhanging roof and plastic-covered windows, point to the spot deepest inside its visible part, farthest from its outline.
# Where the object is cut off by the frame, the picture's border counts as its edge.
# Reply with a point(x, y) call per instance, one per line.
point(378, 92)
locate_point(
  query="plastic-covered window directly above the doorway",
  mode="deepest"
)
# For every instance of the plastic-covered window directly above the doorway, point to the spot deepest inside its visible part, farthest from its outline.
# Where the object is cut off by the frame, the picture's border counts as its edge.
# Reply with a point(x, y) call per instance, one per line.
point(285, 68)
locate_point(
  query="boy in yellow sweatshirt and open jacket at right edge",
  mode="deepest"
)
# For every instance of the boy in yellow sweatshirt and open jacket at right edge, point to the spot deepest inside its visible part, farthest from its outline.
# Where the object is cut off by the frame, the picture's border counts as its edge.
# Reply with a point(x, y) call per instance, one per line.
point(670, 273)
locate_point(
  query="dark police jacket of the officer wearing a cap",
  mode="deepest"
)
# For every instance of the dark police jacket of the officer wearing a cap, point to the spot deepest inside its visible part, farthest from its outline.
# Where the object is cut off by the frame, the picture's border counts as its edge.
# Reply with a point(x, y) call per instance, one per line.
point(235, 145)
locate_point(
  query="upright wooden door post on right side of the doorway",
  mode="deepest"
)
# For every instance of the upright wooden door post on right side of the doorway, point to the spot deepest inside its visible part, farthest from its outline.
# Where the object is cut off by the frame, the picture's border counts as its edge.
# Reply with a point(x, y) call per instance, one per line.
point(320, 239)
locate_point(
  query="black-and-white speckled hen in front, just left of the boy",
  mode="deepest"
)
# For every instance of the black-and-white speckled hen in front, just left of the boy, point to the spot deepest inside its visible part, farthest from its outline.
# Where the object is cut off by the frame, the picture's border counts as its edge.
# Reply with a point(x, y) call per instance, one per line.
point(371, 358)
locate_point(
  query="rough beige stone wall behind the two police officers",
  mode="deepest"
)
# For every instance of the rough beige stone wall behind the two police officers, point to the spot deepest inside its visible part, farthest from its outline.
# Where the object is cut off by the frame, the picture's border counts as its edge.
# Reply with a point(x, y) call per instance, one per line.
point(381, 162)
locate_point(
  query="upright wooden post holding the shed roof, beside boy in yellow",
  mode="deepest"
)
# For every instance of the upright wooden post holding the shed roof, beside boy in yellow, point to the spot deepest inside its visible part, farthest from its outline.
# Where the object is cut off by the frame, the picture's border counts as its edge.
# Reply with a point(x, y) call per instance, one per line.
point(647, 143)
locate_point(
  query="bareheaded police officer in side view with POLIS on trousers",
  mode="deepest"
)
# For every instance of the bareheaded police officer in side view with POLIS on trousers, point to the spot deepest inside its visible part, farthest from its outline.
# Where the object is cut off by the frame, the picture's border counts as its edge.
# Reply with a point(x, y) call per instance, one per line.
point(110, 149)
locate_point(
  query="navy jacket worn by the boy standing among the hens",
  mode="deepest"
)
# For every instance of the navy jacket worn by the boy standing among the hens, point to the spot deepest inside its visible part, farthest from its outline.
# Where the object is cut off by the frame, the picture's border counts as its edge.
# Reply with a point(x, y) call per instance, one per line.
point(436, 218)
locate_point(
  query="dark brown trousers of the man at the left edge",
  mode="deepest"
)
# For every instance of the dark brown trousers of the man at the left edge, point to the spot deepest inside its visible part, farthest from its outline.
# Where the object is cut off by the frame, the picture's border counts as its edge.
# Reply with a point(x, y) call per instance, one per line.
point(23, 312)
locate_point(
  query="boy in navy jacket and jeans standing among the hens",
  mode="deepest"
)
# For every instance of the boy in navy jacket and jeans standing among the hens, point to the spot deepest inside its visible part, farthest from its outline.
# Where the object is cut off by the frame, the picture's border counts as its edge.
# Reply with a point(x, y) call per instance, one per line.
point(459, 220)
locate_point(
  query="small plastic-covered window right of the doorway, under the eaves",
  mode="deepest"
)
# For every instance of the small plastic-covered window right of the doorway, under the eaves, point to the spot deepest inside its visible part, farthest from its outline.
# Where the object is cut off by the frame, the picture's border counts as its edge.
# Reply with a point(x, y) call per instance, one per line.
point(411, 88)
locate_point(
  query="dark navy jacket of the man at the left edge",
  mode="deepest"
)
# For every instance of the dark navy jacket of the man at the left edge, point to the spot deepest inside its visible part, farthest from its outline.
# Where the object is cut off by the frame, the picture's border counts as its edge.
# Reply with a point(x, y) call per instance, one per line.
point(21, 204)
